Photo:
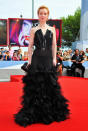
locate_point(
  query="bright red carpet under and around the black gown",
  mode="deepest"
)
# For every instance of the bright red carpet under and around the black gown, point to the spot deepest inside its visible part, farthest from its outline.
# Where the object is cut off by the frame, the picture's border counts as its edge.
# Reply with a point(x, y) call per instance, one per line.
point(74, 89)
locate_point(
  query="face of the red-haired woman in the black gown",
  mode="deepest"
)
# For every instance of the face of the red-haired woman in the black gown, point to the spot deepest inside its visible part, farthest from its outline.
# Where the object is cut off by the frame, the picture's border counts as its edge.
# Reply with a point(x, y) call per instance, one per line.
point(43, 15)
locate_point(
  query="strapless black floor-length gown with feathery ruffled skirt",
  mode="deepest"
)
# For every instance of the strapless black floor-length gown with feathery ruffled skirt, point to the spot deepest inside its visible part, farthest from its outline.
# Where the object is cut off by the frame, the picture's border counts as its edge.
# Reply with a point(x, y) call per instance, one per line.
point(42, 100)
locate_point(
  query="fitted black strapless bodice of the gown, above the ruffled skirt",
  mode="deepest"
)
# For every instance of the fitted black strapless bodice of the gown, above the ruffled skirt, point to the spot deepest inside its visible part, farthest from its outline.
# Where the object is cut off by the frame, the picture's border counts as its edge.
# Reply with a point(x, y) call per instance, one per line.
point(42, 55)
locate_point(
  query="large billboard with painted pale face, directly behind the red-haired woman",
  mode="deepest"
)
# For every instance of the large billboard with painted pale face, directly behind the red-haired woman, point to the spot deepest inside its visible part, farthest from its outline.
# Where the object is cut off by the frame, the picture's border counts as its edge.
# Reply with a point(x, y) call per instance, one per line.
point(19, 30)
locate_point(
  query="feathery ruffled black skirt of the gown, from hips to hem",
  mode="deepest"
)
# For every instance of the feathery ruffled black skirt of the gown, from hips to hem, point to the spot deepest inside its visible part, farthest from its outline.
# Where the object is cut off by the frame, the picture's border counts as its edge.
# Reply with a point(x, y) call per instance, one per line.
point(42, 100)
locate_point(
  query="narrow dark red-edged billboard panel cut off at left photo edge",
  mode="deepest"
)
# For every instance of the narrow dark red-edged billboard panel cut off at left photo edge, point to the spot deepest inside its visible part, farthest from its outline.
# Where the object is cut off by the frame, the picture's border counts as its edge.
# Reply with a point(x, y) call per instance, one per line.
point(3, 32)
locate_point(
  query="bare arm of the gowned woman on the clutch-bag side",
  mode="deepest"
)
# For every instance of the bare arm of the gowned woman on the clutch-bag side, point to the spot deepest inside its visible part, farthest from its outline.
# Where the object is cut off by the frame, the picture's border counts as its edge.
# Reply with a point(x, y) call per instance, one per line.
point(31, 41)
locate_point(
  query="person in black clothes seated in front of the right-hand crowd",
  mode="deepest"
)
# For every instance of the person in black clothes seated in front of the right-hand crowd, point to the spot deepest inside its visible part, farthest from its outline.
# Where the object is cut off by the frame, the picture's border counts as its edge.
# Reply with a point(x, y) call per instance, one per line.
point(77, 60)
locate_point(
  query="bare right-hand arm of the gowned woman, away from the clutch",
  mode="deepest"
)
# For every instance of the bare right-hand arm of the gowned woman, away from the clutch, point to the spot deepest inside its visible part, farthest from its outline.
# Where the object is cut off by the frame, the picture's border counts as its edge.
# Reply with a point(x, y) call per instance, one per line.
point(54, 46)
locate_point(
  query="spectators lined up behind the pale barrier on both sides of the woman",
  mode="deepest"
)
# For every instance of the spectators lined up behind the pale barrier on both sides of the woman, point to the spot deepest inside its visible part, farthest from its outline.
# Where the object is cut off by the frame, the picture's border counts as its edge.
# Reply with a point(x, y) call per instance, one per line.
point(17, 55)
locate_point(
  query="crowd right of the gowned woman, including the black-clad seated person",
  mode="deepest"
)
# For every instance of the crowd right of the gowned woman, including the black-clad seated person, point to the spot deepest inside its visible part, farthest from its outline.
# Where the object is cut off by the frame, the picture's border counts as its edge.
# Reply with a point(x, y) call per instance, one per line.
point(77, 58)
